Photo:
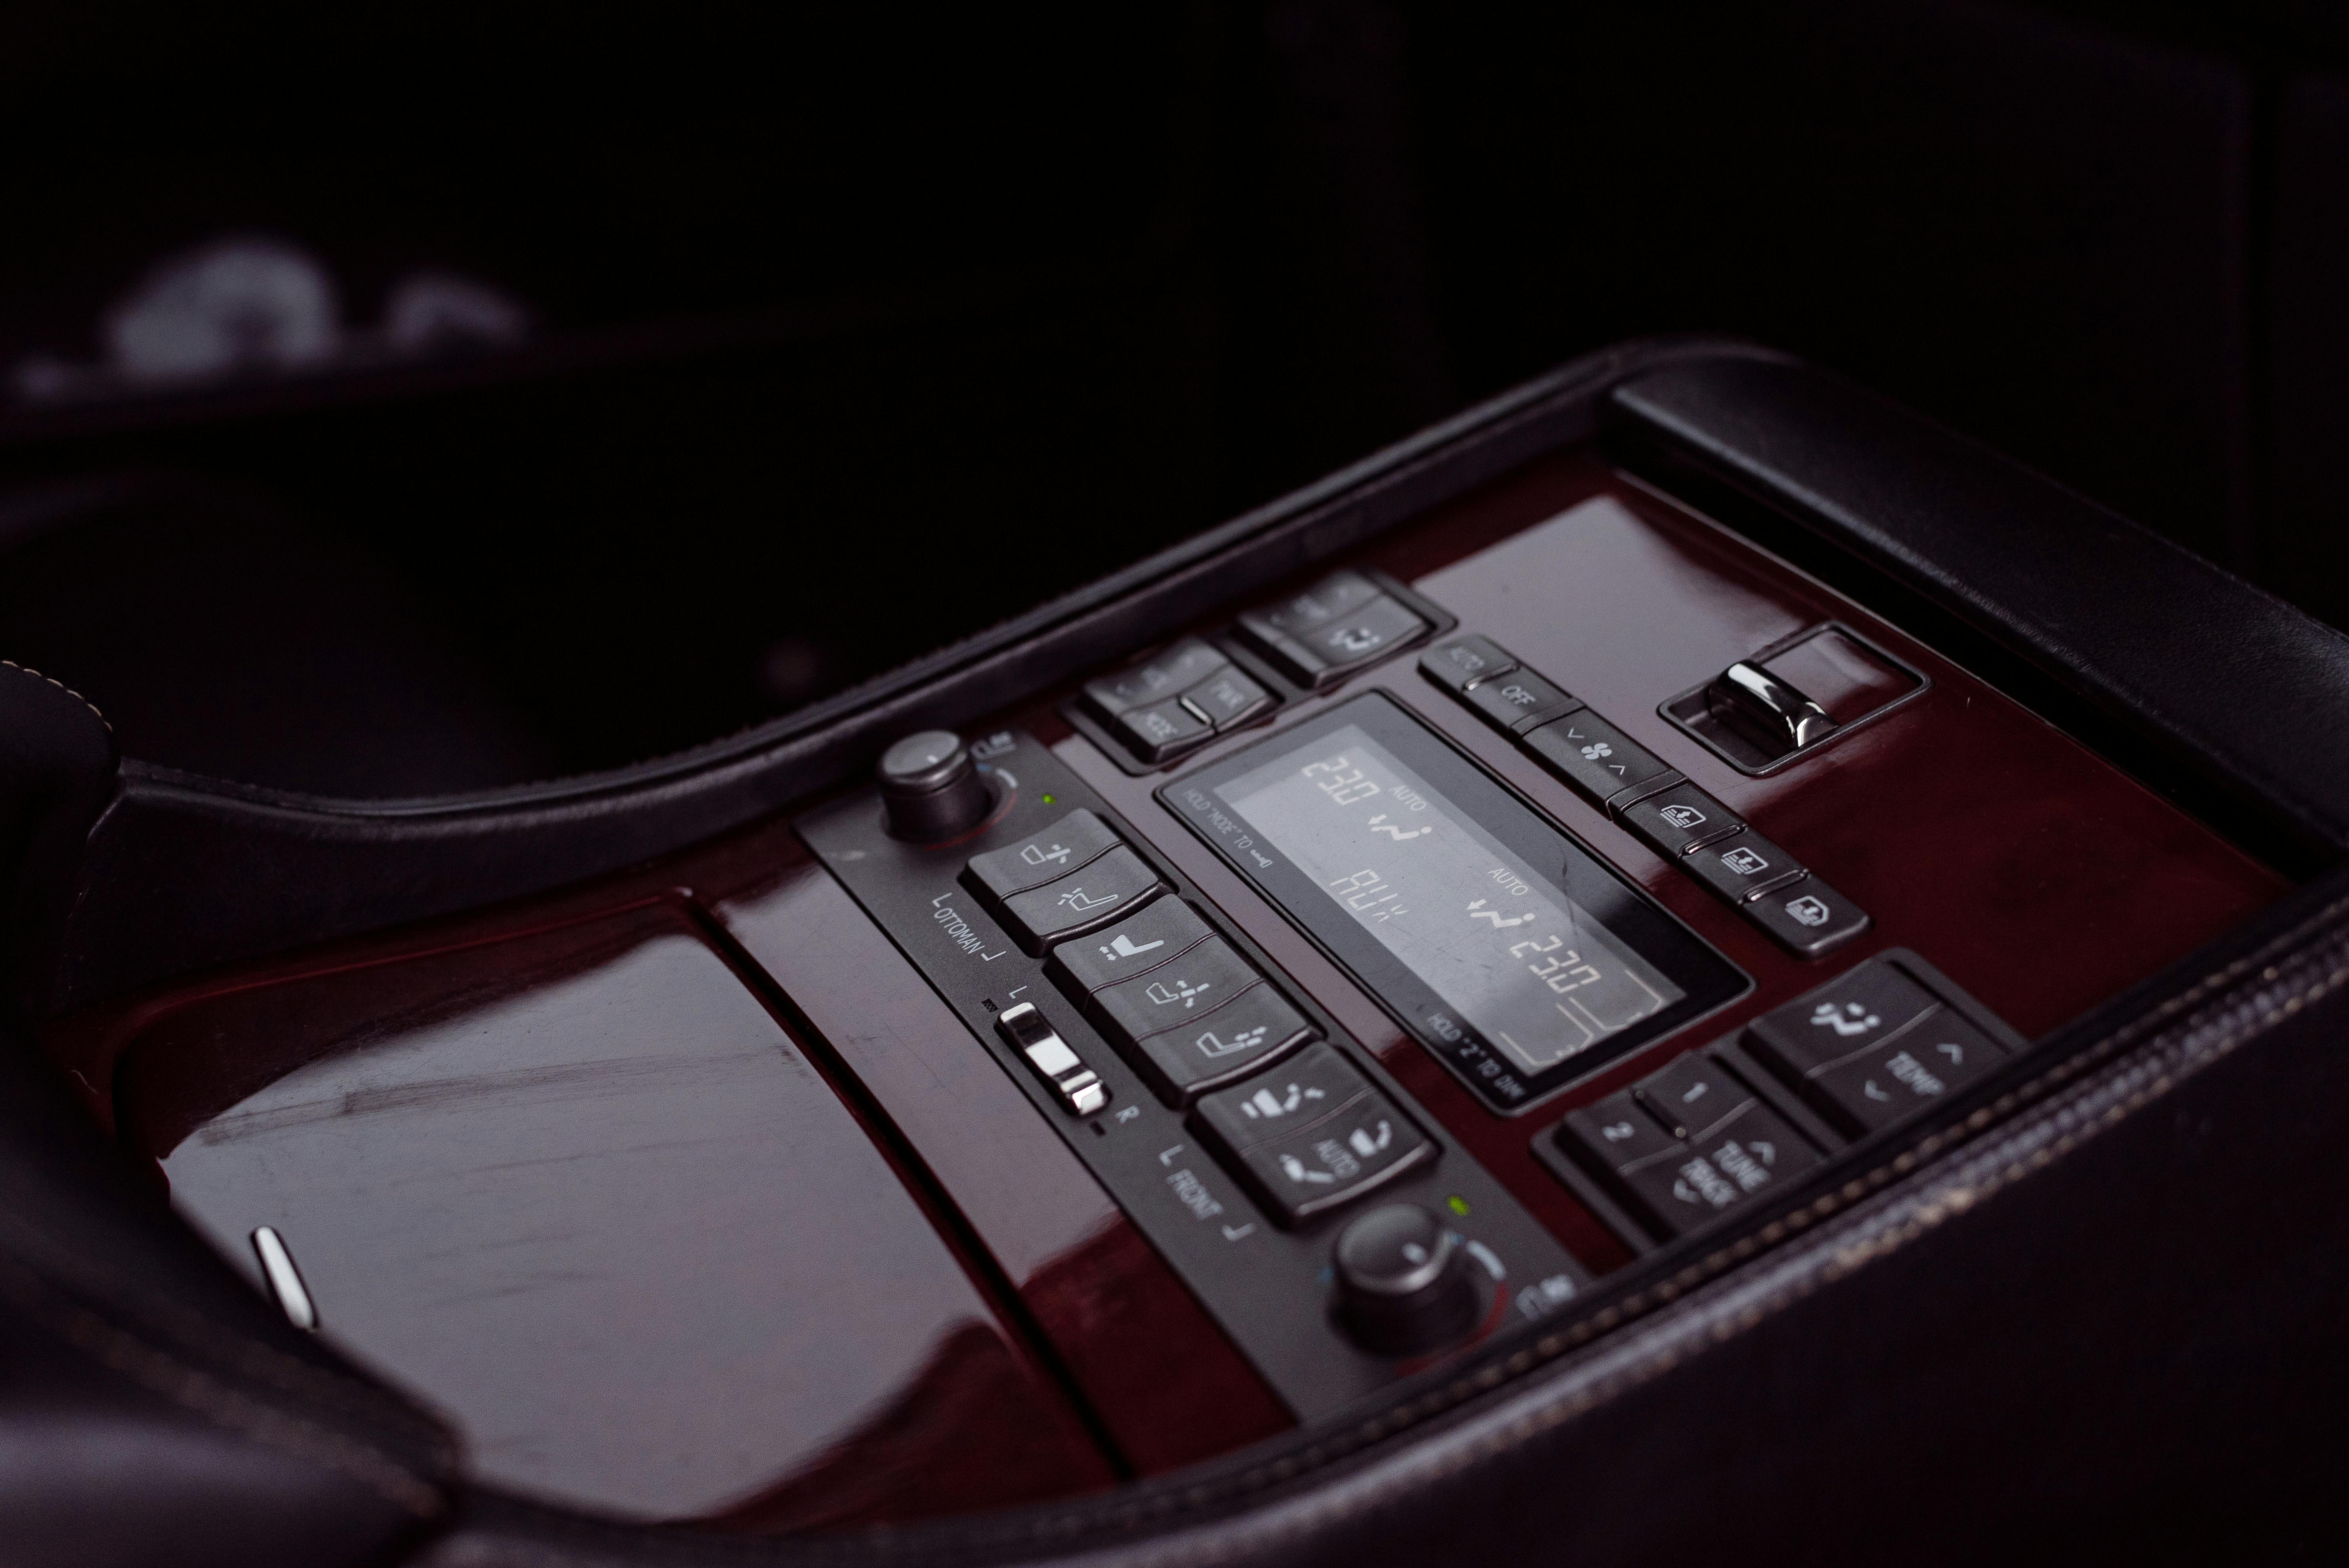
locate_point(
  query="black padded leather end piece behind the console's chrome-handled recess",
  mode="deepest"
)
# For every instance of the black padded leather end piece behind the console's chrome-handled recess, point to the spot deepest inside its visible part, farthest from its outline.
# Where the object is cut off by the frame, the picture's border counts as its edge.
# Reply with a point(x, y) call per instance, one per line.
point(2221, 677)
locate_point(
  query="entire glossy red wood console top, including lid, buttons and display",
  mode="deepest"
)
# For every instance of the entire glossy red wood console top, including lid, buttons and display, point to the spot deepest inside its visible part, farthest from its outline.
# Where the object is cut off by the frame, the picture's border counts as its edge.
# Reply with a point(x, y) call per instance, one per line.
point(1241, 1029)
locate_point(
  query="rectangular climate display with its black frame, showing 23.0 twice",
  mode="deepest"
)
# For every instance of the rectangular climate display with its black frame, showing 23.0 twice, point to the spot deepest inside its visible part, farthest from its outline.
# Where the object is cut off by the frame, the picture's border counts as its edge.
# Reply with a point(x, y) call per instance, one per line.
point(1507, 947)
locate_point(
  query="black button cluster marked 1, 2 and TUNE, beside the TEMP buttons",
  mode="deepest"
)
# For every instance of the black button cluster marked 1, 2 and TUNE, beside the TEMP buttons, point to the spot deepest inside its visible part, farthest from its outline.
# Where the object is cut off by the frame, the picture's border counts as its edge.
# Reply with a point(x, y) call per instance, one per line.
point(1685, 1147)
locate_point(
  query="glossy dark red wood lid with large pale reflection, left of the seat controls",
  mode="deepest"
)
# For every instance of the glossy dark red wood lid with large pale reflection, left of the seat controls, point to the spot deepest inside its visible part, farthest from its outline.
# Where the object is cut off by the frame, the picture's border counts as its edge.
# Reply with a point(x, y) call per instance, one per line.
point(588, 1198)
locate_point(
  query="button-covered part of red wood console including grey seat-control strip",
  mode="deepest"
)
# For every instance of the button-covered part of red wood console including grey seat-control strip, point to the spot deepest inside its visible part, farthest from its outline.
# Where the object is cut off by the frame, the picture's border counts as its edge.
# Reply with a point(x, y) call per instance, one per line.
point(1554, 903)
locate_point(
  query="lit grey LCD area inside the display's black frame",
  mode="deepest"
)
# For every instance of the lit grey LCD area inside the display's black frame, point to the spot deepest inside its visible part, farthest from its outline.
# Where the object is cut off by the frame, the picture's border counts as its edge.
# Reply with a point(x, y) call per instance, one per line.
point(1516, 959)
